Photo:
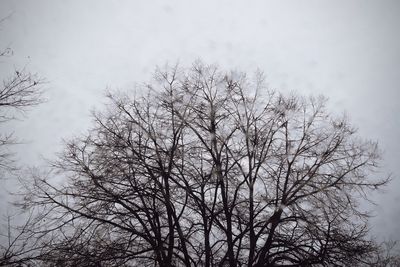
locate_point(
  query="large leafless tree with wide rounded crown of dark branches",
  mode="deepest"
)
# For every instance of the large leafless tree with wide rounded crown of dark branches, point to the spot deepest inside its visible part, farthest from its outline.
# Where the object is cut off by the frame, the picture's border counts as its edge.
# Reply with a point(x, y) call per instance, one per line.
point(209, 169)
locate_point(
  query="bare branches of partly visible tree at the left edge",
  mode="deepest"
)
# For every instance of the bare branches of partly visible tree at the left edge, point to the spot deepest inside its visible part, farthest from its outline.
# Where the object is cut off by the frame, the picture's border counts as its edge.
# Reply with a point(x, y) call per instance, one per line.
point(18, 92)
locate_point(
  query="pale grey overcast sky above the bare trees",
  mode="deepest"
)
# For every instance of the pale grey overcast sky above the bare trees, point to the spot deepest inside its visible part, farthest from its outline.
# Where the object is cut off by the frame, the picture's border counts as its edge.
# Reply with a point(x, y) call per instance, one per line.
point(347, 50)
